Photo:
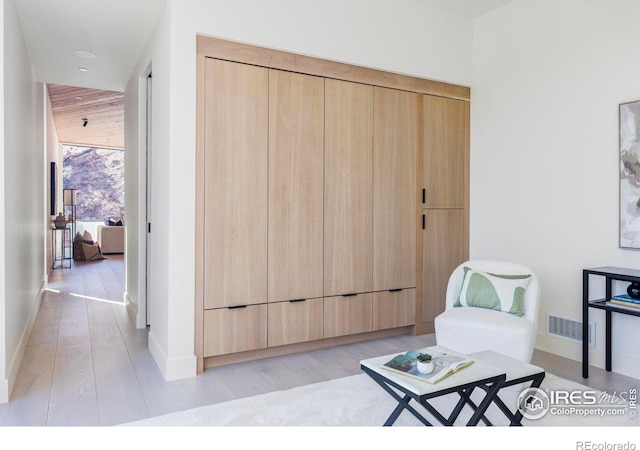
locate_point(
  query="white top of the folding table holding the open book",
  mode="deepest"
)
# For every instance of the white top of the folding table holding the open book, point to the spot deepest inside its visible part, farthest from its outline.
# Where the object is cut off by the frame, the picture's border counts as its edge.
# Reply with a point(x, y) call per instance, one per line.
point(479, 370)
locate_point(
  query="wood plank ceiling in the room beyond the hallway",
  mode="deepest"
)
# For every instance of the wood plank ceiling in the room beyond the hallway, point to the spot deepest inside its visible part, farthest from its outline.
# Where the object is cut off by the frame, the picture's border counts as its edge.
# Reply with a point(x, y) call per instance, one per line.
point(103, 111)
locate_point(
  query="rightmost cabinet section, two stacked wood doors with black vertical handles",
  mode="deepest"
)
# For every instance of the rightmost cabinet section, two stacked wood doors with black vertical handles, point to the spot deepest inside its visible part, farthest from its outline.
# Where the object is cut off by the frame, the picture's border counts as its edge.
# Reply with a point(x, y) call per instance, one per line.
point(445, 186)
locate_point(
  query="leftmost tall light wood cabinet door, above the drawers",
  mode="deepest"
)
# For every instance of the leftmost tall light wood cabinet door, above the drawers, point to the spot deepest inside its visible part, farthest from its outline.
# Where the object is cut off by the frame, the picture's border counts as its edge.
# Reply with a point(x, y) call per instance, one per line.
point(235, 173)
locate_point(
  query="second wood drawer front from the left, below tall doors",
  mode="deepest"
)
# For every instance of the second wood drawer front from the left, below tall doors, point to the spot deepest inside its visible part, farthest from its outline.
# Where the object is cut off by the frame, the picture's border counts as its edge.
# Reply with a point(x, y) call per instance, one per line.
point(295, 321)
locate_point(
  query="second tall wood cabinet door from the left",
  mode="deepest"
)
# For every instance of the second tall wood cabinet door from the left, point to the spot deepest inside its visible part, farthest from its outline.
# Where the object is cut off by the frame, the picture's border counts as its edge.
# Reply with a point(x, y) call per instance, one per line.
point(296, 154)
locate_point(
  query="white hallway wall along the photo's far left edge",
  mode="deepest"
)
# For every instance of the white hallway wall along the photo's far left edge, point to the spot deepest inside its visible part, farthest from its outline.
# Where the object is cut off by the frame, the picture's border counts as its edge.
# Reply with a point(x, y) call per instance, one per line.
point(21, 229)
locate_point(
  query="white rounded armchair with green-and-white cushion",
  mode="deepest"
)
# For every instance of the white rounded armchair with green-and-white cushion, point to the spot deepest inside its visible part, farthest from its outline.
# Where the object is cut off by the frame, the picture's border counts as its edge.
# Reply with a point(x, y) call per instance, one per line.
point(469, 329)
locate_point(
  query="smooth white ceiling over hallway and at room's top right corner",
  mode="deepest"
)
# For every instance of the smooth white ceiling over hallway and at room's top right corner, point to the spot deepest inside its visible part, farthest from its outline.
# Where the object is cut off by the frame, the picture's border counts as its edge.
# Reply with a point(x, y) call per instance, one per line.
point(117, 31)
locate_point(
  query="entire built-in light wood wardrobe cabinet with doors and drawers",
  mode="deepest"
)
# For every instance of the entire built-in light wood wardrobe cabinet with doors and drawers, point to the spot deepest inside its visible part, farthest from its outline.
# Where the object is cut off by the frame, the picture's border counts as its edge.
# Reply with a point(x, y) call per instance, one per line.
point(312, 179)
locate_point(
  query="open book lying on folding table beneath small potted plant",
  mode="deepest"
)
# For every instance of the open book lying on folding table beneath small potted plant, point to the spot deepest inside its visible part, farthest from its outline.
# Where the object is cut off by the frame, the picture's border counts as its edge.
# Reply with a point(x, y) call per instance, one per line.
point(443, 365)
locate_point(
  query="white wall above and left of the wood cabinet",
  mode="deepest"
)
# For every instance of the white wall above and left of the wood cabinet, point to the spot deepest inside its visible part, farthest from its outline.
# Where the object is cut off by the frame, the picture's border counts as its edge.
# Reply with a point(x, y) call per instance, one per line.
point(398, 36)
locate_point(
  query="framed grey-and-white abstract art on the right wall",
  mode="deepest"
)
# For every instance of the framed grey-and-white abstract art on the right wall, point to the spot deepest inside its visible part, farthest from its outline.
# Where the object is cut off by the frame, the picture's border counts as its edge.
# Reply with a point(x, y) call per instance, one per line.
point(630, 175)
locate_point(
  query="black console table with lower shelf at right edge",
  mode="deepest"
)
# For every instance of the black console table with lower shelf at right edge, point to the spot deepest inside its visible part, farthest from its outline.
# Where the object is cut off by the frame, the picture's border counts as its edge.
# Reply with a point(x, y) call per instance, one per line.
point(610, 274)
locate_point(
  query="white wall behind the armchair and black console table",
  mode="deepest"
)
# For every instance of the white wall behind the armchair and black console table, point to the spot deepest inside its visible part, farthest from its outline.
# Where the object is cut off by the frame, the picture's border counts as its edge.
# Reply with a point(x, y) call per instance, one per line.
point(548, 77)
